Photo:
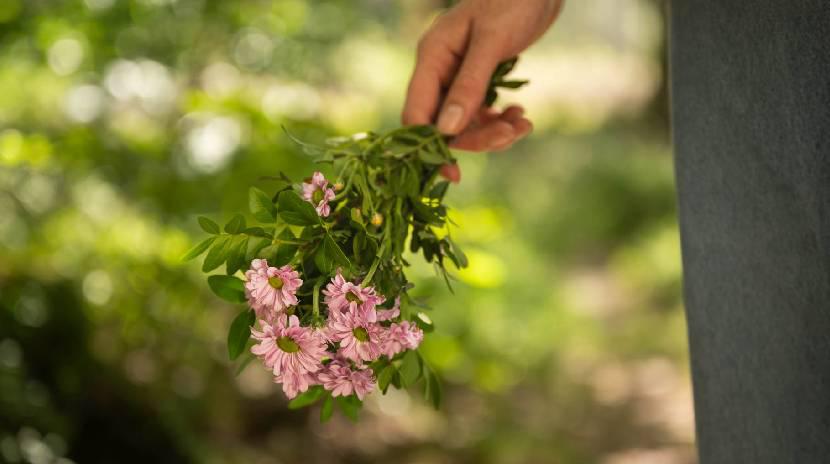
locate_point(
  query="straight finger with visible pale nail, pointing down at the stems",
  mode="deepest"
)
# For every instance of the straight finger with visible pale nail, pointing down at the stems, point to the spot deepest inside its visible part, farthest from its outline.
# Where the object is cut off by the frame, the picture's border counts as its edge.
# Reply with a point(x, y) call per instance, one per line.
point(467, 91)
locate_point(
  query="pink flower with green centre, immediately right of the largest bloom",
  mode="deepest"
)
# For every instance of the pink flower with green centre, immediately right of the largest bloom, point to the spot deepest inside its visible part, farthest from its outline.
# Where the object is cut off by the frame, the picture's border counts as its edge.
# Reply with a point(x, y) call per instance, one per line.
point(360, 340)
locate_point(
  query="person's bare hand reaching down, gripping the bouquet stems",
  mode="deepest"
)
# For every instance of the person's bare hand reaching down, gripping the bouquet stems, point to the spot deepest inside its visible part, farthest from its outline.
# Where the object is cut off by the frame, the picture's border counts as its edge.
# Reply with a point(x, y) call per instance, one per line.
point(456, 57)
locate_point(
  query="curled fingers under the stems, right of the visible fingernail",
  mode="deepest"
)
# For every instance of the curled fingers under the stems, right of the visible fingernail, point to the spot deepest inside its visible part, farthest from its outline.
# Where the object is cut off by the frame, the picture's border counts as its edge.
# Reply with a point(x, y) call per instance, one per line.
point(491, 133)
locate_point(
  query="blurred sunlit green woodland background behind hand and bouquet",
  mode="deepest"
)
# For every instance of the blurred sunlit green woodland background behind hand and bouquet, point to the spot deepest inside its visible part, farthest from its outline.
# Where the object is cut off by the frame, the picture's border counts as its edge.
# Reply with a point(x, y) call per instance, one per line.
point(121, 120)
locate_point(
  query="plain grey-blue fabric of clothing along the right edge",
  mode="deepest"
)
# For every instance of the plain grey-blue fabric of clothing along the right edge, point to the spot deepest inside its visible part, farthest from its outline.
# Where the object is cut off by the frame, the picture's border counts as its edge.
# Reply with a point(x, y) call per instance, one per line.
point(751, 128)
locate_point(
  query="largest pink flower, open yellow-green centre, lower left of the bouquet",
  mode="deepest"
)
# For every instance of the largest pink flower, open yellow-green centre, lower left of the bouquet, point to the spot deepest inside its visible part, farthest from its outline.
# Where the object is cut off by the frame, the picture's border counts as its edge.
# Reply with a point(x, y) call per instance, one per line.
point(293, 353)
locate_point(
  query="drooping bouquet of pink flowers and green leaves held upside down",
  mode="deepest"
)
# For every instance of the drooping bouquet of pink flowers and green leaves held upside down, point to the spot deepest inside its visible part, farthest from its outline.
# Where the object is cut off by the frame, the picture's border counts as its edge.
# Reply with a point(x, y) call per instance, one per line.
point(329, 311)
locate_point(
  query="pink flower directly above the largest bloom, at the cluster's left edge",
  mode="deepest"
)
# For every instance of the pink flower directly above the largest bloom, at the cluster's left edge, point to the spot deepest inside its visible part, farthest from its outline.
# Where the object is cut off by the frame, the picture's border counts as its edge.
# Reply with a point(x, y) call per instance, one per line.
point(270, 290)
